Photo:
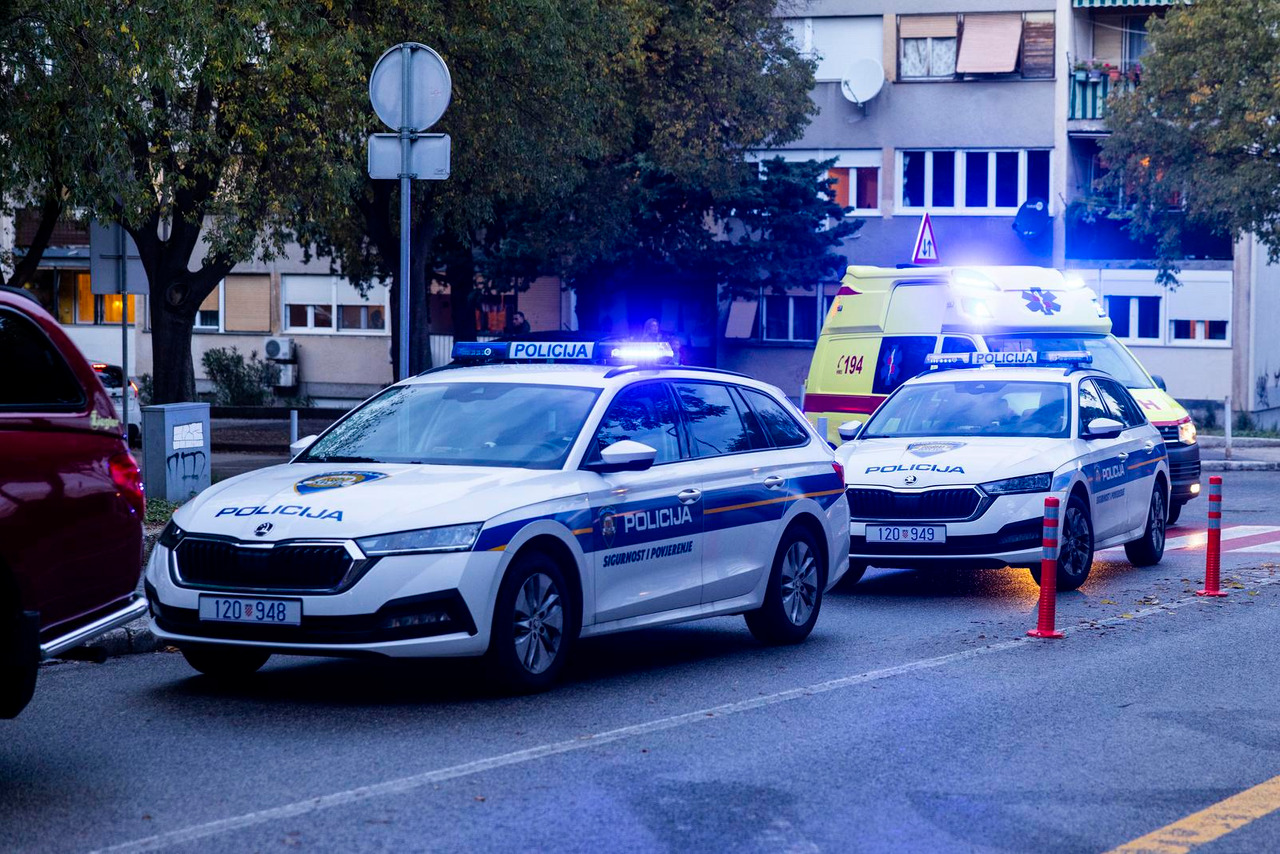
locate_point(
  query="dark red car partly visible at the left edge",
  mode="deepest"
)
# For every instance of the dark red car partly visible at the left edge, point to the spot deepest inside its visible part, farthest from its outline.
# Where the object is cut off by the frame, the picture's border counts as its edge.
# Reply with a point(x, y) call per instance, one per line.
point(71, 503)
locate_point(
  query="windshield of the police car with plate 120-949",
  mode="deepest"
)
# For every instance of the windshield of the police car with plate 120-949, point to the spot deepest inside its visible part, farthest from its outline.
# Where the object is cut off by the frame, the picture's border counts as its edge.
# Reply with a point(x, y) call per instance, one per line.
point(973, 408)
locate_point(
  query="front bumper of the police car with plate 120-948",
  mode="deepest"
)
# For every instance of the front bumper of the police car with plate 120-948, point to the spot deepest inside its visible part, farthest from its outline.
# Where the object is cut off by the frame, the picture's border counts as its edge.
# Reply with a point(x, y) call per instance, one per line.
point(405, 606)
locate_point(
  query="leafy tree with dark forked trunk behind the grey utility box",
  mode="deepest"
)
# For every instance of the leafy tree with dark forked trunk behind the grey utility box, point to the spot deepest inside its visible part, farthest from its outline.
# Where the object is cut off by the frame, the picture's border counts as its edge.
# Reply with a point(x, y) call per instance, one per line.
point(203, 129)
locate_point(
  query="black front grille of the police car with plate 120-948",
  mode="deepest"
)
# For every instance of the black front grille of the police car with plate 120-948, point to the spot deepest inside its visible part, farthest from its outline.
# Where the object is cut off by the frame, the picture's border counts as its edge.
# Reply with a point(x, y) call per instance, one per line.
point(227, 565)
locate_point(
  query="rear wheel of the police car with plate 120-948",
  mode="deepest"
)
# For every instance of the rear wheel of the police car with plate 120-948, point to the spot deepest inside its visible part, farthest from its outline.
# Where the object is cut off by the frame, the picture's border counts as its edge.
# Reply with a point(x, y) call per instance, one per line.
point(794, 593)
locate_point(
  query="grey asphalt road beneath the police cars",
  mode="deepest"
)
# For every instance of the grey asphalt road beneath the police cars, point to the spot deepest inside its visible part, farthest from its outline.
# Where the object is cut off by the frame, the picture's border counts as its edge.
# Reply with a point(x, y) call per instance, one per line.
point(917, 718)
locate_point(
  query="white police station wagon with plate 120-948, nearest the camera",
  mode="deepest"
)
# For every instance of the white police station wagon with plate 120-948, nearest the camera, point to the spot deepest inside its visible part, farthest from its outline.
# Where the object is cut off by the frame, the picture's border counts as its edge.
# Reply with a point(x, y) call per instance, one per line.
point(509, 510)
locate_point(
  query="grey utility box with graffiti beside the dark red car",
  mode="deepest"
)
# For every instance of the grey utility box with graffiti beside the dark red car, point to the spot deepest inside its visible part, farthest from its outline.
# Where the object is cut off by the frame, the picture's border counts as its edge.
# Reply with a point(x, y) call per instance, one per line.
point(176, 450)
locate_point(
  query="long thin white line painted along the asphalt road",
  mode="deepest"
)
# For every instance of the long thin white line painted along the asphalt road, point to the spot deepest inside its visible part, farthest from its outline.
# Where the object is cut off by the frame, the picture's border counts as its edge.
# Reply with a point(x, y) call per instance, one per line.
point(586, 742)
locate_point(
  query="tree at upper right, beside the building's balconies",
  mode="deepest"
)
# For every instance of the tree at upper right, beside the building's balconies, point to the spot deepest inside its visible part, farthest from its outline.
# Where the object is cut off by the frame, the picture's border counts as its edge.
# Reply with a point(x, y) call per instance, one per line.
point(1197, 145)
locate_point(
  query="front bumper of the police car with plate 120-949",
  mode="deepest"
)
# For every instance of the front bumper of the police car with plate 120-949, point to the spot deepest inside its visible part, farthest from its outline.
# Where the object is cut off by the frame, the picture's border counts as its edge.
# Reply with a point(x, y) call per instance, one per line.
point(1009, 533)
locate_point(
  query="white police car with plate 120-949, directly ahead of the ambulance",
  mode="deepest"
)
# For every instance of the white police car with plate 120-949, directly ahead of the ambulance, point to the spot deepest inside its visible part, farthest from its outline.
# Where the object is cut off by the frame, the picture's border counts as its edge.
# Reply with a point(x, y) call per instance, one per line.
point(954, 468)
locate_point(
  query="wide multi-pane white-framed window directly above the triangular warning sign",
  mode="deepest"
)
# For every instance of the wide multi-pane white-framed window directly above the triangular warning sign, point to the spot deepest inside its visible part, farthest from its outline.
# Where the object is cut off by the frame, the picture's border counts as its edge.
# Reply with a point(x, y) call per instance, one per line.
point(973, 182)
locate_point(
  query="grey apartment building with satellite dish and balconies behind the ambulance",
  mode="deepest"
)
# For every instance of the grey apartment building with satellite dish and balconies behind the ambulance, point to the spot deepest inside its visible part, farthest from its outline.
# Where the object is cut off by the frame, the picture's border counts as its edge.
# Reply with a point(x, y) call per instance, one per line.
point(993, 113)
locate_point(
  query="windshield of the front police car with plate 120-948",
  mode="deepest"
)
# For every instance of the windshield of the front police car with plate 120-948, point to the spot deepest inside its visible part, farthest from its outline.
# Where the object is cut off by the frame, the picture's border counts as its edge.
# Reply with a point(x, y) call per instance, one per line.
point(461, 424)
